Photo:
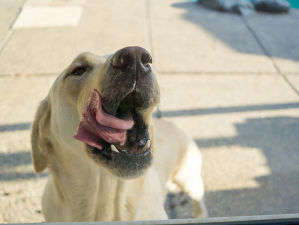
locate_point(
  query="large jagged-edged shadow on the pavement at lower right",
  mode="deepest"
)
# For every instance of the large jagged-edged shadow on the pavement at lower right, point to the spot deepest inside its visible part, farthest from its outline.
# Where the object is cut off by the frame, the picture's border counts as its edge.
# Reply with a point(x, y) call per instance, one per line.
point(278, 139)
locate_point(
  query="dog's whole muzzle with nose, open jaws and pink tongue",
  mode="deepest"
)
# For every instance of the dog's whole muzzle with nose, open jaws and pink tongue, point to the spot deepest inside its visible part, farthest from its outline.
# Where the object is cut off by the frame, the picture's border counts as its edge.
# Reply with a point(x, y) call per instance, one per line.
point(113, 124)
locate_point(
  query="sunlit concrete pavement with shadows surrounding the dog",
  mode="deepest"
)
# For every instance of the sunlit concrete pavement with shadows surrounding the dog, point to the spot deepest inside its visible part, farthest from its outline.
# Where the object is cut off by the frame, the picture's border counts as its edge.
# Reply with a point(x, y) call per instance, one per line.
point(229, 82)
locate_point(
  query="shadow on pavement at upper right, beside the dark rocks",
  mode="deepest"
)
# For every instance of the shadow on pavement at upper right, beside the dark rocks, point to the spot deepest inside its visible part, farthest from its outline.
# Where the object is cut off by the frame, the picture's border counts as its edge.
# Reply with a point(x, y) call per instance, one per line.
point(231, 30)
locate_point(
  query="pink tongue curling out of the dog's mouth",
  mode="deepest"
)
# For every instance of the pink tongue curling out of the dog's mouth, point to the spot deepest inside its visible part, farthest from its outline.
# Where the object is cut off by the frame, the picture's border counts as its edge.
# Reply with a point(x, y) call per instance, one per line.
point(97, 125)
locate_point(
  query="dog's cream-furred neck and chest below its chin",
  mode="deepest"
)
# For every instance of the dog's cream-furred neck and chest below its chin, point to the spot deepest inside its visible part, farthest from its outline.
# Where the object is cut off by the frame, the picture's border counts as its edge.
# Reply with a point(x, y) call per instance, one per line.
point(101, 195)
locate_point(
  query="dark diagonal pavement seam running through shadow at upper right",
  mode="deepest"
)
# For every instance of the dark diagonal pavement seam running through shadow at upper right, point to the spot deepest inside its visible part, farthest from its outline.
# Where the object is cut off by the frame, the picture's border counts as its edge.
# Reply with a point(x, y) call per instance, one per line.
point(259, 42)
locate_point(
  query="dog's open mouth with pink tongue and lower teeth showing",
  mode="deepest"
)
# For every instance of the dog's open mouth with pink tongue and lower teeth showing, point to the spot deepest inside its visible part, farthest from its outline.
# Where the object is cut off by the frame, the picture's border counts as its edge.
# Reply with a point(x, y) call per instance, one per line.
point(123, 135)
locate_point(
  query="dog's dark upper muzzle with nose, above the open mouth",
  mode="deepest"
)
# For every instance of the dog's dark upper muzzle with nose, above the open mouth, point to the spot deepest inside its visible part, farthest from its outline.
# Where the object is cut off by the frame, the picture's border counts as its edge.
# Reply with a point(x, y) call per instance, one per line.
point(129, 72)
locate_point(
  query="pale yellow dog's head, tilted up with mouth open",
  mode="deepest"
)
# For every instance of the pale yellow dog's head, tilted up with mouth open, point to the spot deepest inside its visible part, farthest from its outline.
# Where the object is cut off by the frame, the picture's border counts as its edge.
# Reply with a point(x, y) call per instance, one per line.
point(102, 107)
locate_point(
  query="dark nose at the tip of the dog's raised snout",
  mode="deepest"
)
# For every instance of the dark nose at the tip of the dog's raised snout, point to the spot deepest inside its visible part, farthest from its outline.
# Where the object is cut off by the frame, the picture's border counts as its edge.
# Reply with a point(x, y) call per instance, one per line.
point(132, 59)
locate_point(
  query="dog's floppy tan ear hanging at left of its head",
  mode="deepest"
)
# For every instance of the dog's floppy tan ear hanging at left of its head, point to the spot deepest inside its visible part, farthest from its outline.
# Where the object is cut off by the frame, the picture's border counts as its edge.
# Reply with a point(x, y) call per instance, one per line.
point(40, 143)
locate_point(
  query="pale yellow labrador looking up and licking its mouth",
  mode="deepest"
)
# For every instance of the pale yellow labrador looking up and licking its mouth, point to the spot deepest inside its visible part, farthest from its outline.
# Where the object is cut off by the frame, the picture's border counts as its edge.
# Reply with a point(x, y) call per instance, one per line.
point(107, 158)
